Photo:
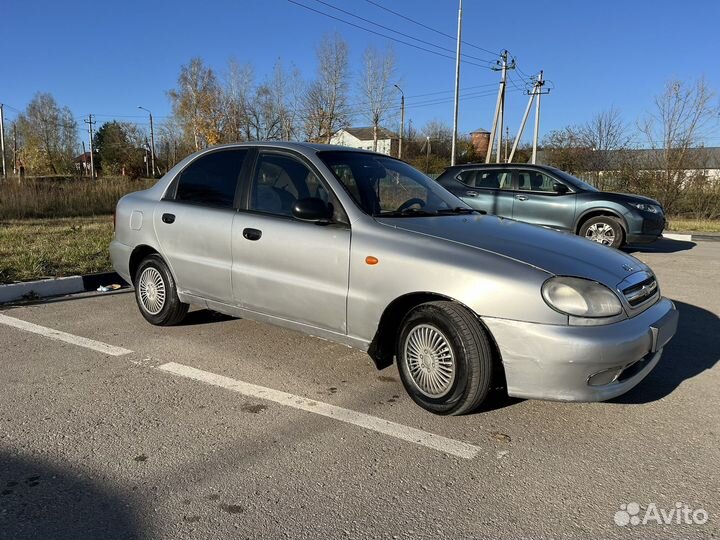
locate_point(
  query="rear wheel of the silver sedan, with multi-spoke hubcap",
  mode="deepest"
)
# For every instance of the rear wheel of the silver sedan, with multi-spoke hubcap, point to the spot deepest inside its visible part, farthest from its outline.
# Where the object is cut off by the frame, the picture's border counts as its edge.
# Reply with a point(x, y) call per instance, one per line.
point(156, 293)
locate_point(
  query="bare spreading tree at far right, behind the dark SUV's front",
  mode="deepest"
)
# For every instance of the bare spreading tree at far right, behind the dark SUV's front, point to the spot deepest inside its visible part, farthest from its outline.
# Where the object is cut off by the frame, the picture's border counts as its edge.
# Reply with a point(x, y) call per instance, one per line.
point(685, 114)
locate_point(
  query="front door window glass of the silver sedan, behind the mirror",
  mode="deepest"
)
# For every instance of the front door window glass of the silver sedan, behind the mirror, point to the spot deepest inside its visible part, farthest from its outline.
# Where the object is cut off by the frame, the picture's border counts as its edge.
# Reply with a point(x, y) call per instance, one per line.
point(281, 180)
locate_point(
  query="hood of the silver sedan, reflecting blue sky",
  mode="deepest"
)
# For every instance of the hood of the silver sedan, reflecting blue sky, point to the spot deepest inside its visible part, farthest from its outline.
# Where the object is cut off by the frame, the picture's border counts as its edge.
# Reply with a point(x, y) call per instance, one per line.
point(554, 252)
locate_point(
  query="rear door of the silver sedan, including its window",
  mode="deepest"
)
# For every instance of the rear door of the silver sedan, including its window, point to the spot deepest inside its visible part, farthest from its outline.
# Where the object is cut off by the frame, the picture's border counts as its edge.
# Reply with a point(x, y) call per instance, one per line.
point(194, 223)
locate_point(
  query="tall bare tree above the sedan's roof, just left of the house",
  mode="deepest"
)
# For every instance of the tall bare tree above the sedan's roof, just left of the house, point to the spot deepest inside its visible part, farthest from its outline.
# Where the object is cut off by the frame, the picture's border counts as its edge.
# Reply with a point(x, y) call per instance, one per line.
point(326, 98)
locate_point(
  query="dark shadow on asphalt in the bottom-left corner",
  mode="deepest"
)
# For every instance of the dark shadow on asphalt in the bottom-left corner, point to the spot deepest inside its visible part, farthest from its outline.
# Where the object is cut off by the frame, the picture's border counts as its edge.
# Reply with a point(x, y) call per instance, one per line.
point(42, 500)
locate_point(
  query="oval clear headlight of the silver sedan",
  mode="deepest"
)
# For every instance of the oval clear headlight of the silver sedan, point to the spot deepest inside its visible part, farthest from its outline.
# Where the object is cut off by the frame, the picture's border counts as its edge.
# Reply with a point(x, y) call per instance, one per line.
point(581, 297)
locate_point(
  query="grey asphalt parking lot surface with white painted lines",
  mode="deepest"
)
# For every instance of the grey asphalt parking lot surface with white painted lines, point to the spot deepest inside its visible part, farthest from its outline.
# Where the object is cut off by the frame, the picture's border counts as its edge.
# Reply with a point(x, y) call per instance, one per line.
point(226, 428)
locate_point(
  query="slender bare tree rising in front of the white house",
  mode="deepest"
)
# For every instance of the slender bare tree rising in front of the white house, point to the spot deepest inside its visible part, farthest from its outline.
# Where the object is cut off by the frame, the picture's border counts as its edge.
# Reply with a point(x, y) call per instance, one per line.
point(377, 84)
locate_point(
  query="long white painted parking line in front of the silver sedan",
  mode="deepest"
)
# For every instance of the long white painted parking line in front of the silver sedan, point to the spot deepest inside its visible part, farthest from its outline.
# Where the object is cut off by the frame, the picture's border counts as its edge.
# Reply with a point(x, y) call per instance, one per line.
point(399, 431)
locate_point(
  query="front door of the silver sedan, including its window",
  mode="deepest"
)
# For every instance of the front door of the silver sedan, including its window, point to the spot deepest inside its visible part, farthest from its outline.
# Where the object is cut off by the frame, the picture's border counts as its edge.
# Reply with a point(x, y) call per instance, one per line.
point(284, 267)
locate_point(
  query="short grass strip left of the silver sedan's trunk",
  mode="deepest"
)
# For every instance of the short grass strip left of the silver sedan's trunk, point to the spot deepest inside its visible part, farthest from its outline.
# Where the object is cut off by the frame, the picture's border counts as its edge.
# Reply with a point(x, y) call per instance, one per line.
point(35, 249)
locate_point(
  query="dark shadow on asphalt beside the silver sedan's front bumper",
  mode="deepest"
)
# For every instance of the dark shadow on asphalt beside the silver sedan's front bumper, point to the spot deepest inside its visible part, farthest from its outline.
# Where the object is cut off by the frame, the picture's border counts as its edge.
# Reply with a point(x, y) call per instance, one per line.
point(693, 350)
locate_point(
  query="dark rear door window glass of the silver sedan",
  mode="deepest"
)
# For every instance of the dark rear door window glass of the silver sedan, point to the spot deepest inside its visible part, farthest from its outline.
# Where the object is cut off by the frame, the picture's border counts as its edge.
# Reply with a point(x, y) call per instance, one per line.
point(211, 179)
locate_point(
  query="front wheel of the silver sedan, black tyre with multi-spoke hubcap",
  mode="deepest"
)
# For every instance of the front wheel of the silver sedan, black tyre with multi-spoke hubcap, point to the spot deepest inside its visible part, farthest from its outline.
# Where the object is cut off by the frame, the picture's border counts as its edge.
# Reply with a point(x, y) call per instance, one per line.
point(444, 358)
